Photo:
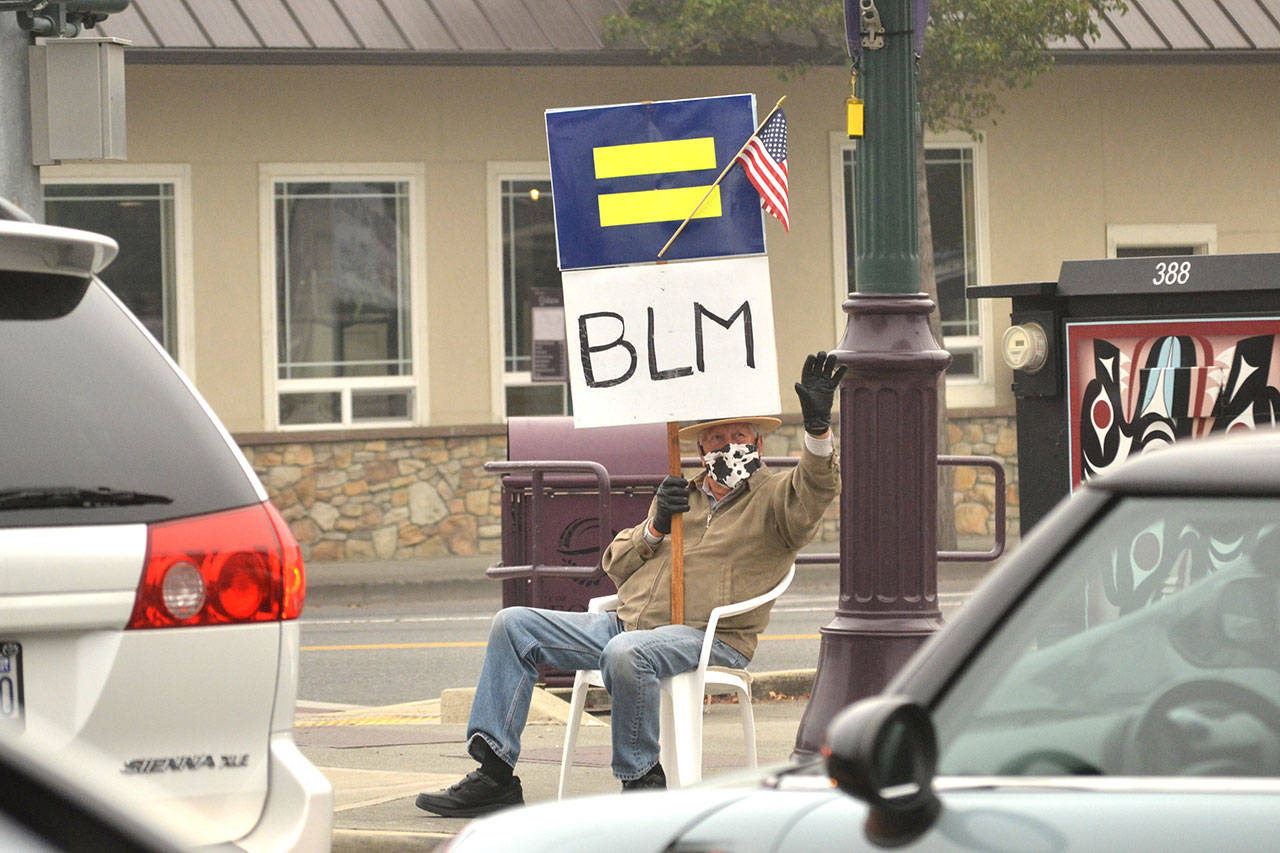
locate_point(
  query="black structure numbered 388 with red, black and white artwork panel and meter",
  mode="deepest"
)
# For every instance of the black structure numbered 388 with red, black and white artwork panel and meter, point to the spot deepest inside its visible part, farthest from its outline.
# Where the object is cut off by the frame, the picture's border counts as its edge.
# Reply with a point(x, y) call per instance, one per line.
point(1126, 355)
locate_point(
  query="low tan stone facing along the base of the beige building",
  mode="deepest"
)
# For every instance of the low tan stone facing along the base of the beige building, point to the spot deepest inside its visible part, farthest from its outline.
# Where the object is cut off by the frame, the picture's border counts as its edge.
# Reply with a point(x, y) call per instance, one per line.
point(424, 494)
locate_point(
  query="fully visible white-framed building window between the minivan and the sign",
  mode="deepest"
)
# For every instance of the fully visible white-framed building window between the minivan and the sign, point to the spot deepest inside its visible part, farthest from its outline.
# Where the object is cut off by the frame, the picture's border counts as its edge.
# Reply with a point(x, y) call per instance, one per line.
point(344, 329)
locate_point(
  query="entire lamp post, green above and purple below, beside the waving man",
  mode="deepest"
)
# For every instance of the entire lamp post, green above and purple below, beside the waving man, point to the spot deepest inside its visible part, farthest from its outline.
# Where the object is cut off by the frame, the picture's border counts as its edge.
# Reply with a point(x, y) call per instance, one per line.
point(889, 604)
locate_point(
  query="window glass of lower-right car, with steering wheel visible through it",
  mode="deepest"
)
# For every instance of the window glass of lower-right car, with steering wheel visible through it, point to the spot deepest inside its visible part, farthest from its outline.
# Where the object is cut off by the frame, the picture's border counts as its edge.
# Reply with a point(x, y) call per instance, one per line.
point(1151, 649)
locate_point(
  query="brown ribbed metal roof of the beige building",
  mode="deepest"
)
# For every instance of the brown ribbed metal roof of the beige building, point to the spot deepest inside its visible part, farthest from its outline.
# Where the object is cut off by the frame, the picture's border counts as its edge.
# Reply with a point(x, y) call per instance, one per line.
point(559, 31)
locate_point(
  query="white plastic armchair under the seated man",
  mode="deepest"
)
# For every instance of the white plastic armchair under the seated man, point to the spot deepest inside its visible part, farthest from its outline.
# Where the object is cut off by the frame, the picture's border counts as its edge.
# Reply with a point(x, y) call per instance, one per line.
point(682, 723)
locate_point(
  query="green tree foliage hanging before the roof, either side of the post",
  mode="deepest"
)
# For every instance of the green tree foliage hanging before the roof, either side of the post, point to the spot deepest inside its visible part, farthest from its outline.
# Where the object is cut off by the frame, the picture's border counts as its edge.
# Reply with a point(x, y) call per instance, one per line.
point(973, 49)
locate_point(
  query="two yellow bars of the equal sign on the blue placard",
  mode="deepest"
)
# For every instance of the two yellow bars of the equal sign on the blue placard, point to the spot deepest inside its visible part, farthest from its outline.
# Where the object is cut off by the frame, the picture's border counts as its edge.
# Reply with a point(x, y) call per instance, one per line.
point(656, 158)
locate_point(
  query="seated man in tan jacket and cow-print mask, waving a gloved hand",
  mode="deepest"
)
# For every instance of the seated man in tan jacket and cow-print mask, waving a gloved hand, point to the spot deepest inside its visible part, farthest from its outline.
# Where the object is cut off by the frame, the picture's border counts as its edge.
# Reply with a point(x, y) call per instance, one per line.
point(746, 526)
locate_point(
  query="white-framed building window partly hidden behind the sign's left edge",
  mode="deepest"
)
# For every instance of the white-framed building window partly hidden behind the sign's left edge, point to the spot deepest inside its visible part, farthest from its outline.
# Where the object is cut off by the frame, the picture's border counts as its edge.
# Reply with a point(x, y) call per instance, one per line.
point(531, 281)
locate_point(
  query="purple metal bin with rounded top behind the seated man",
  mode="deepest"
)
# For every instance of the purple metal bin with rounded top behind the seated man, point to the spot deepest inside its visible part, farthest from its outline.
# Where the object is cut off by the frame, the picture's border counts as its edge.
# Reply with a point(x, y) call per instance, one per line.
point(565, 494)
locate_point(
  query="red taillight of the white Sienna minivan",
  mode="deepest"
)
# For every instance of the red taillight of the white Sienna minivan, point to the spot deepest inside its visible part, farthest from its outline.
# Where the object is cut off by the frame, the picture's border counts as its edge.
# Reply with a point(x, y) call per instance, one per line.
point(221, 569)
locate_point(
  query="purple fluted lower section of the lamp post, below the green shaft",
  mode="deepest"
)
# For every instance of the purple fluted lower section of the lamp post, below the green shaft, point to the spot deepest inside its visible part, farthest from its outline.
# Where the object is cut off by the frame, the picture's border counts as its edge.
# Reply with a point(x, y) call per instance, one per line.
point(889, 499)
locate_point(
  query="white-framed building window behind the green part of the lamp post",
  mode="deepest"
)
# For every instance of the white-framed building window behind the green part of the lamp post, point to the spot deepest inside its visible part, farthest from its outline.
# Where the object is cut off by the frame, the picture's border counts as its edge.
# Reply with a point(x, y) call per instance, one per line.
point(953, 216)
